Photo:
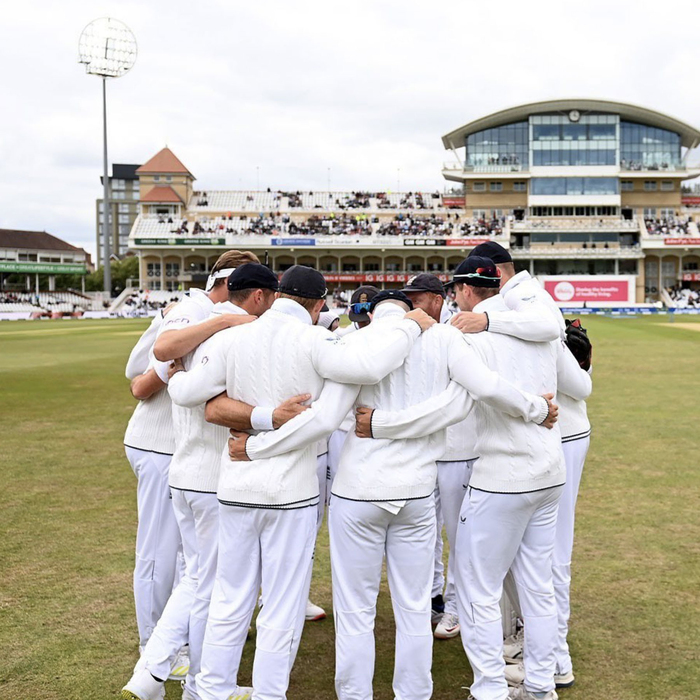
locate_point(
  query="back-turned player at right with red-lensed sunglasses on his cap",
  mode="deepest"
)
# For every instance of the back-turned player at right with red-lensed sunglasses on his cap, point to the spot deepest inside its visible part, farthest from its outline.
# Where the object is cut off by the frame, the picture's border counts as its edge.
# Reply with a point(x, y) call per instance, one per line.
point(509, 519)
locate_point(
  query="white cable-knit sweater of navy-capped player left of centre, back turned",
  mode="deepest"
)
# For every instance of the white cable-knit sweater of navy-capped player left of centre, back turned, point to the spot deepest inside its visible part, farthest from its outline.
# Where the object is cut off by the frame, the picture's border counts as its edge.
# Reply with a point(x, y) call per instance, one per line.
point(266, 362)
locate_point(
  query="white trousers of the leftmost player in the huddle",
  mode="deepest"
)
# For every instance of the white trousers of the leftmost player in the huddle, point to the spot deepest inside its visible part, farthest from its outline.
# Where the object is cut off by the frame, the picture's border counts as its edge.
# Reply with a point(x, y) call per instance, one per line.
point(157, 539)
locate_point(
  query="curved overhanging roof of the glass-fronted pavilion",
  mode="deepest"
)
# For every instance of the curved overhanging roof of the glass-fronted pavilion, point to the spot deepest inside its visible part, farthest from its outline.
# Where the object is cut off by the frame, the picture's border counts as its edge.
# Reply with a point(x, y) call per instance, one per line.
point(690, 137)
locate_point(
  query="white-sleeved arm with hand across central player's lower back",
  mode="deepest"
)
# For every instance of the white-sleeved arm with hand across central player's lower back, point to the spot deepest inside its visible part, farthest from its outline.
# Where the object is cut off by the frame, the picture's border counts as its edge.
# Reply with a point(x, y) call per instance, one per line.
point(446, 408)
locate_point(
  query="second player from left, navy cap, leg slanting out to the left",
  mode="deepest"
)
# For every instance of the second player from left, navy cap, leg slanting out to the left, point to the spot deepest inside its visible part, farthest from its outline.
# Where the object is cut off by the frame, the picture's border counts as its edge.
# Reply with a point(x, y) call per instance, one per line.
point(194, 474)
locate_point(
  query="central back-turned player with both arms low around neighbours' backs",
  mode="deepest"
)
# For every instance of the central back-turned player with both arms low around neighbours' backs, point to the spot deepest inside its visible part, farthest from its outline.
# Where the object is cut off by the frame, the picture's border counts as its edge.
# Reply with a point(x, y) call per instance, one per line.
point(382, 502)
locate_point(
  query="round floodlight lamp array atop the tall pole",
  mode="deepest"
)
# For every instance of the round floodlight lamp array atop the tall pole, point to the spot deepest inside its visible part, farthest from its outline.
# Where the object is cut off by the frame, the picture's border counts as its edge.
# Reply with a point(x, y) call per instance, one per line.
point(107, 47)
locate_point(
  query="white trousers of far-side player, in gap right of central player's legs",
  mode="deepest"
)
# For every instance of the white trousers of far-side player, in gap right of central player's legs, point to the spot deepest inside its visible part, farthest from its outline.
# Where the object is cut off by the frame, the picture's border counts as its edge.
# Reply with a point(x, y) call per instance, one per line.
point(452, 483)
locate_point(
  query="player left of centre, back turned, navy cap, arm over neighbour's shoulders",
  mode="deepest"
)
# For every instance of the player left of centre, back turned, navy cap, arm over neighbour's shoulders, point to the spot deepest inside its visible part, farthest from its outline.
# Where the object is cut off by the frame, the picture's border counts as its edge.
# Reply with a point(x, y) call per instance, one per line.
point(268, 510)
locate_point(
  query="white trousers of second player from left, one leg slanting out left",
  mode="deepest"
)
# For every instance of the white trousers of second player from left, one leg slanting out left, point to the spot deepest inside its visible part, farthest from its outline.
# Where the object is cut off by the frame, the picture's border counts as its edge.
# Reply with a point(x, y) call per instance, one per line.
point(185, 615)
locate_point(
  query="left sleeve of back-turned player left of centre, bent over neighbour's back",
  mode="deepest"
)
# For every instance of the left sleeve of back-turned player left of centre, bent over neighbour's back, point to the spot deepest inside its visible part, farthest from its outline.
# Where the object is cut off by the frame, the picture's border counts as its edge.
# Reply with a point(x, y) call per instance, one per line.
point(202, 382)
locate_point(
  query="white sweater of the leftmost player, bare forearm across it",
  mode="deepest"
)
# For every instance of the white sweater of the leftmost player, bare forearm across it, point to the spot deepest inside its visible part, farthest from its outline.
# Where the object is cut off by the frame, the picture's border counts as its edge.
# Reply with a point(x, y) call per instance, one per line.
point(151, 425)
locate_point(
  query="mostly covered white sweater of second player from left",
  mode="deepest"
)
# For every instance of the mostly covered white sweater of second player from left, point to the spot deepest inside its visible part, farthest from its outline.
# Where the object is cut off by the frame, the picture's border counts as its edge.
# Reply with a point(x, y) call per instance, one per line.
point(197, 458)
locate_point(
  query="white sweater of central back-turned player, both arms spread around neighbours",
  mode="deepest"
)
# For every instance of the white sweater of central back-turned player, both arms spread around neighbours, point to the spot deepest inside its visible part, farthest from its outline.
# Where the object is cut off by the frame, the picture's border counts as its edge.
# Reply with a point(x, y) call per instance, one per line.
point(401, 469)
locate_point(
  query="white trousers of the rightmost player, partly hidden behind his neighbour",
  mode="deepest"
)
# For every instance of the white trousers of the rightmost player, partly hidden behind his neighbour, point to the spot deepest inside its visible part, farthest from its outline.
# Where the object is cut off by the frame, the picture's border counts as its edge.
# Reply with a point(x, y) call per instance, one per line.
point(574, 456)
